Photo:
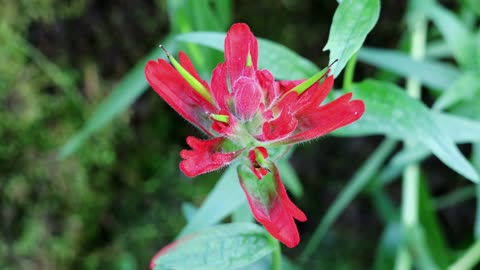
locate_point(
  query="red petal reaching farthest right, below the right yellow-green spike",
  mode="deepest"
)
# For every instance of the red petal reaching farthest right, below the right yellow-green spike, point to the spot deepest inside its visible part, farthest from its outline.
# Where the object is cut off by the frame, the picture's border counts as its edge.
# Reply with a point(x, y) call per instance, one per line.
point(327, 118)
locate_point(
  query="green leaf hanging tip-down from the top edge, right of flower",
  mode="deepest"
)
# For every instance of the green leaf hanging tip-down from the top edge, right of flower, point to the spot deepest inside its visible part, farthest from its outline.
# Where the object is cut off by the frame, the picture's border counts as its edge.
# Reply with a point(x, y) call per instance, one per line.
point(352, 22)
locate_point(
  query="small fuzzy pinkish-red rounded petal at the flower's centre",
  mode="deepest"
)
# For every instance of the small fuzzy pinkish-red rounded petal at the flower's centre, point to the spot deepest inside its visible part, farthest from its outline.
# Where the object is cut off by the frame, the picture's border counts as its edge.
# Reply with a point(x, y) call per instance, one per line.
point(247, 96)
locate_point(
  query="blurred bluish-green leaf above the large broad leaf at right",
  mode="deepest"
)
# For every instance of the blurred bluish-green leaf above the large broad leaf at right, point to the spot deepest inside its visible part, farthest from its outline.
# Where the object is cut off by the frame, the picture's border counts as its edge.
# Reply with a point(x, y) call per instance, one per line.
point(432, 73)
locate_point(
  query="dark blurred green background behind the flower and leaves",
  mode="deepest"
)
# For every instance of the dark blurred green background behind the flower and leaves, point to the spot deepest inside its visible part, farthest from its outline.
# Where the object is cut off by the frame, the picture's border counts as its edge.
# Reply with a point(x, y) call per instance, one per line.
point(117, 200)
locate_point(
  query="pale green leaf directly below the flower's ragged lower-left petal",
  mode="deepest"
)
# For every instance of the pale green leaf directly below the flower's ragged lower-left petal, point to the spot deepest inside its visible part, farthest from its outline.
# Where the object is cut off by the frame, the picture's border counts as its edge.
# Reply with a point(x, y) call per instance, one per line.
point(225, 197)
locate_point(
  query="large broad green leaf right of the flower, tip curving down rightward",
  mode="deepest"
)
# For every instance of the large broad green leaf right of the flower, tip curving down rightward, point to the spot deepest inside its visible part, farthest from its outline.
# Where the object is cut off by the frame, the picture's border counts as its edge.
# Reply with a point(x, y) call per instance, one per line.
point(391, 112)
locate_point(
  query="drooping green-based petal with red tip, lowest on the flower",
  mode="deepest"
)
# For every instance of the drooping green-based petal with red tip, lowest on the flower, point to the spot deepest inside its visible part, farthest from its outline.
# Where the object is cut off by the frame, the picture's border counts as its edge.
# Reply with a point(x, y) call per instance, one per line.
point(272, 207)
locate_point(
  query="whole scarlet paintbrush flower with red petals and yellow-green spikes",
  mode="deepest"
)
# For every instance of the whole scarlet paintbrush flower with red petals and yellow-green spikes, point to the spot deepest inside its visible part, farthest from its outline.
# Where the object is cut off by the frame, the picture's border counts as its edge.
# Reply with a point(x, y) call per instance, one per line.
point(246, 114)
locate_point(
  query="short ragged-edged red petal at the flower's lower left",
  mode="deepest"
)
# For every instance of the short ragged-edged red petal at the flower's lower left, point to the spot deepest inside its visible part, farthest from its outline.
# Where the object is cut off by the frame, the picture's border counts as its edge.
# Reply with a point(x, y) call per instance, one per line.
point(205, 156)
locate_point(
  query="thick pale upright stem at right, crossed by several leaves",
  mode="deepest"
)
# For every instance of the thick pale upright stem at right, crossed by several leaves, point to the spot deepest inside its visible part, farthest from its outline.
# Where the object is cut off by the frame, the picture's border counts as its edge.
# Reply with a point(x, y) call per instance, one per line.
point(418, 25)
